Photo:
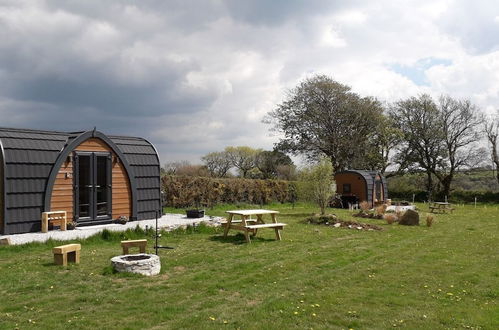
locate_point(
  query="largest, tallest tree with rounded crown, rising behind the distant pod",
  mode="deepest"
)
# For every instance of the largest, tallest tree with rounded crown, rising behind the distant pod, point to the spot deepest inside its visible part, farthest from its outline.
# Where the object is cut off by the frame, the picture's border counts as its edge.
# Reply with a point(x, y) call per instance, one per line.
point(323, 117)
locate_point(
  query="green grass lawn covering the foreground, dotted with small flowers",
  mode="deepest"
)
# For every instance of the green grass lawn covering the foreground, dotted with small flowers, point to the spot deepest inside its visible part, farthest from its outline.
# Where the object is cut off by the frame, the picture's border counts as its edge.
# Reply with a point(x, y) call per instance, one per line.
point(446, 276)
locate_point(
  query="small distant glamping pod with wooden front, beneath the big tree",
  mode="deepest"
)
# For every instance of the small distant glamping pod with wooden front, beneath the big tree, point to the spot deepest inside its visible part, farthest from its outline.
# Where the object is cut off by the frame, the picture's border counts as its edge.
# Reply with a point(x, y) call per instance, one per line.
point(357, 186)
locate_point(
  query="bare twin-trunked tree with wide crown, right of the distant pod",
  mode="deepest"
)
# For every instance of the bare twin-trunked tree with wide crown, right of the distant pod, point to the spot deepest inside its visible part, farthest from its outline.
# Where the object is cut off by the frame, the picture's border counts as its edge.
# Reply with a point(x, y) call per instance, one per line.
point(439, 138)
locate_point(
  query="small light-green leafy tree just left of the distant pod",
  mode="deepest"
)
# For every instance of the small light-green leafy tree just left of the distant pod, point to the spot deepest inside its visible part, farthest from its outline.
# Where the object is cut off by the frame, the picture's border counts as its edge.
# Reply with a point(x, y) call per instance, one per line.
point(317, 183)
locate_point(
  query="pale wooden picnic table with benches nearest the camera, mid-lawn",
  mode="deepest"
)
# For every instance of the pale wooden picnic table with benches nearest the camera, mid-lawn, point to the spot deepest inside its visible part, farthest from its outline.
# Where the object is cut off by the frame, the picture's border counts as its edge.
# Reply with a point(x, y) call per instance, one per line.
point(249, 225)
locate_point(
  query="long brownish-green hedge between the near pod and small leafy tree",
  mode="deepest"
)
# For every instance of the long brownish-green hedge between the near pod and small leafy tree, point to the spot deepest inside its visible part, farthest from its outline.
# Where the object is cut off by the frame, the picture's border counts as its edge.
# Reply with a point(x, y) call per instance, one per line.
point(187, 191)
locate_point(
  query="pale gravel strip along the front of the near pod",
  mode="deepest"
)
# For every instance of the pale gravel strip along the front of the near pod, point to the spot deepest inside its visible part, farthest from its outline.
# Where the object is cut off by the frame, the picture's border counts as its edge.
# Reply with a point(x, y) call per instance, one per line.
point(168, 221)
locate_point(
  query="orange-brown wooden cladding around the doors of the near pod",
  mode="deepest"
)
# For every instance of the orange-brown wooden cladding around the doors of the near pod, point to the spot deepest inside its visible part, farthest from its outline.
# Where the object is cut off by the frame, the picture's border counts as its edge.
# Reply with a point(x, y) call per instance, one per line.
point(62, 198)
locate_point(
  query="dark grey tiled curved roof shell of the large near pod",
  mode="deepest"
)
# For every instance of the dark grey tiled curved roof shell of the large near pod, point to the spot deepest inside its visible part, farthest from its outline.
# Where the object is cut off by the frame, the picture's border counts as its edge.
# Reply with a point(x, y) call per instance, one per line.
point(30, 160)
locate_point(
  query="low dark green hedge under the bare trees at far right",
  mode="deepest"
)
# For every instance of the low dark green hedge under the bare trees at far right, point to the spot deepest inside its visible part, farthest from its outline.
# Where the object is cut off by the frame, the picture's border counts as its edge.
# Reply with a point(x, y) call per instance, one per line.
point(463, 196)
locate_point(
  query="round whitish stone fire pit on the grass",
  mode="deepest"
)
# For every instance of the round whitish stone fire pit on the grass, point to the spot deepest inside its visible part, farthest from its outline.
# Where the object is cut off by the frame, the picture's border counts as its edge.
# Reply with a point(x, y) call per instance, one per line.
point(145, 264)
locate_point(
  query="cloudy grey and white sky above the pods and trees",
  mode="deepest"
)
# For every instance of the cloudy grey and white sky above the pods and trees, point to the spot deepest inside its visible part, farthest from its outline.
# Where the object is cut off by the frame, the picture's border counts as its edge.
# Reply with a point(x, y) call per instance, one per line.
point(196, 76)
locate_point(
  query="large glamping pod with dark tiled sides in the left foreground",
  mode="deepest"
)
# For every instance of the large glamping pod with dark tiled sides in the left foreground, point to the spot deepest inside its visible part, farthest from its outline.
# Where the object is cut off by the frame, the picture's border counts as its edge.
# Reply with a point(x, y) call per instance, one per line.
point(95, 178)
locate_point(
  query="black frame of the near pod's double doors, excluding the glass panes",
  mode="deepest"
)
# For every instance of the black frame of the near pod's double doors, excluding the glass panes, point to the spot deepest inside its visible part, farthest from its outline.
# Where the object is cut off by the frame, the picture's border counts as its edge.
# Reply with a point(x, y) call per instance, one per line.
point(93, 218)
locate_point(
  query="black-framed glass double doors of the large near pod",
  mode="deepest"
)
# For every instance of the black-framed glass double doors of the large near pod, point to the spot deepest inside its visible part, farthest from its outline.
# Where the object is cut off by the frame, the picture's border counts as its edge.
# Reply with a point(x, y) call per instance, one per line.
point(92, 181)
